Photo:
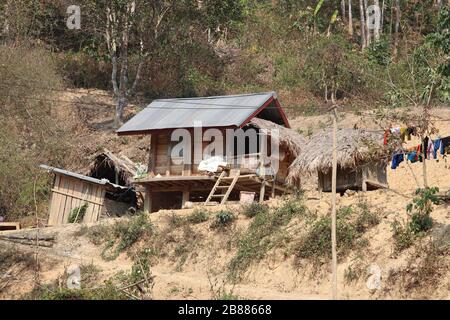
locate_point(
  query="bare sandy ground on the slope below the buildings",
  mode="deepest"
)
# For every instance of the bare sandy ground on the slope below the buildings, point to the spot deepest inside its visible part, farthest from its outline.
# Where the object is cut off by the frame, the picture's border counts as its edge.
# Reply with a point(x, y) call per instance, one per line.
point(276, 277)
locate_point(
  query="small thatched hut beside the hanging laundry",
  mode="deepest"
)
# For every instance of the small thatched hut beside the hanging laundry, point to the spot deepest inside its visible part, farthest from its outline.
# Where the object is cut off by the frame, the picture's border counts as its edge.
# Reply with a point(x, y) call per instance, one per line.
point(360, 156)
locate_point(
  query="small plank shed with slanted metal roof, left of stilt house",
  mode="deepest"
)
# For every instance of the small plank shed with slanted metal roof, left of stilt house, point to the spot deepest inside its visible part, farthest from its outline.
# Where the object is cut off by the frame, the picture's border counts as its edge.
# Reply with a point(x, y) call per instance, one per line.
point(71, 191)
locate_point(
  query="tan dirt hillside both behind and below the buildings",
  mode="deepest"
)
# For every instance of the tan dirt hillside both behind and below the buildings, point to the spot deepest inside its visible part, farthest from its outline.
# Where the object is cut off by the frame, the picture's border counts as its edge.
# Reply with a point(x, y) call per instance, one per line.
point(193, 259)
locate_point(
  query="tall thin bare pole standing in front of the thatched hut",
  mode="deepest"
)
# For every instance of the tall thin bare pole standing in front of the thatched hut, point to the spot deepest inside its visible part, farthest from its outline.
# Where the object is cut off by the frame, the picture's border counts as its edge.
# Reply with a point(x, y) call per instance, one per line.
point(333, 206)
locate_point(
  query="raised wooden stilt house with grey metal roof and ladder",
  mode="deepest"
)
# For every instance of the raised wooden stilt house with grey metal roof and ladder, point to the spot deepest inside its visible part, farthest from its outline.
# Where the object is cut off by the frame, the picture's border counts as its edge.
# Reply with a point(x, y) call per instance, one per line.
point(172, 181)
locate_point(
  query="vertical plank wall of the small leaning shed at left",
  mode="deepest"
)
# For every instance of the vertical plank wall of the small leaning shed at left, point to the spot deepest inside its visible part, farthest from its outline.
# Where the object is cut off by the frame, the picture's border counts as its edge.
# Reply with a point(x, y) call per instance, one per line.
point(69, 193)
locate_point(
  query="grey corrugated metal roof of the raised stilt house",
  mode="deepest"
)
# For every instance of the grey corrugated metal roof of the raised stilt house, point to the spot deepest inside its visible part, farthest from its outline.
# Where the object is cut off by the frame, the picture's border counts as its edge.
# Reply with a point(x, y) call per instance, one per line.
point(219, 111)
